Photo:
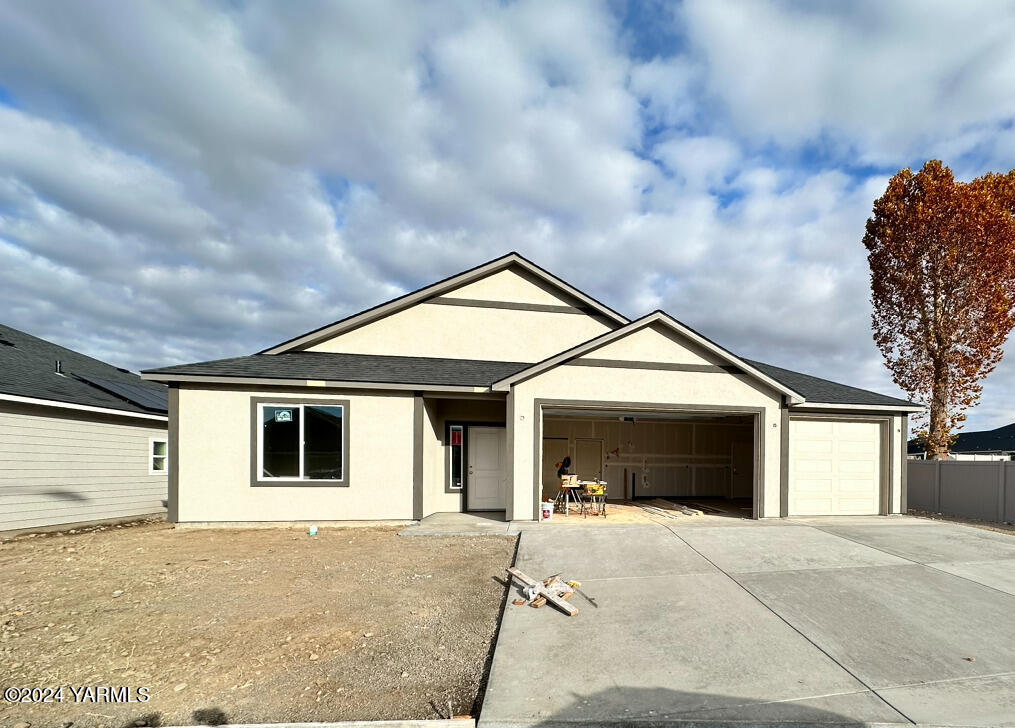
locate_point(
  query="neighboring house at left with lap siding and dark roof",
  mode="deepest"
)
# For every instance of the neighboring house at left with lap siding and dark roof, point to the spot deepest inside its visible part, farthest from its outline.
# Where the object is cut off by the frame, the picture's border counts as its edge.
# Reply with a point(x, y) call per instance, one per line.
point(81, 441)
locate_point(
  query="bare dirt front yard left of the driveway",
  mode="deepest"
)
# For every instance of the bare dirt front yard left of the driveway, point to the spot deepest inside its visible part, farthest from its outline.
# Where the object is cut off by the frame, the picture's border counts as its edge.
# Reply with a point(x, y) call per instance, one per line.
point(248, 626)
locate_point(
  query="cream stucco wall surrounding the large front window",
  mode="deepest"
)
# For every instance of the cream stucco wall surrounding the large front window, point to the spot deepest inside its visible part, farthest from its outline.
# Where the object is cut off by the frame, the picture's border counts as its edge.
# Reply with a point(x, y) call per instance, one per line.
point(215, 461)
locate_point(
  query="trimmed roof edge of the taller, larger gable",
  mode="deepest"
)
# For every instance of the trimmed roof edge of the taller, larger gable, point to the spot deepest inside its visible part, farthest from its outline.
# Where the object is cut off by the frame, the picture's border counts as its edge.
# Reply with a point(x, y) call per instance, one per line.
point(443, 287)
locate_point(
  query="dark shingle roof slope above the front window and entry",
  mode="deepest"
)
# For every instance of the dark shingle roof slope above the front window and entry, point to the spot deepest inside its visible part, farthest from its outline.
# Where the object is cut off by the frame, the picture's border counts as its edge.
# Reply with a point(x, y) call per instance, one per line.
point(355, 368)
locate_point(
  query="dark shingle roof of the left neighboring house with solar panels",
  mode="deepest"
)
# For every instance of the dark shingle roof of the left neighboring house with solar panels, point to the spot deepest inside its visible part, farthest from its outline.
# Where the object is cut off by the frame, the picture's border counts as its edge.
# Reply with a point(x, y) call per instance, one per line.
point(28, 369)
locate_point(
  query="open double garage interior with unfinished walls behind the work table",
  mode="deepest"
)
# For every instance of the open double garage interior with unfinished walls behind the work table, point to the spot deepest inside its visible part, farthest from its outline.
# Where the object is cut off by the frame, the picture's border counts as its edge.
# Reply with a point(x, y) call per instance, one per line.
point(702, 459)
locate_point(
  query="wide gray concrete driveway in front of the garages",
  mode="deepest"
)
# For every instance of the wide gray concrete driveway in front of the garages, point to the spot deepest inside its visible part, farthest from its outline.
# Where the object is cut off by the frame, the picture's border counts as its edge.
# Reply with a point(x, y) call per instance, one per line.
point(710, 621)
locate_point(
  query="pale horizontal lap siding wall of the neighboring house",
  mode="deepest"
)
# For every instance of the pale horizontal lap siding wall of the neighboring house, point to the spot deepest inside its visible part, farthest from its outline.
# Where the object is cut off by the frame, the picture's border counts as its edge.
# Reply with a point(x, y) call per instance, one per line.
point(65, 467)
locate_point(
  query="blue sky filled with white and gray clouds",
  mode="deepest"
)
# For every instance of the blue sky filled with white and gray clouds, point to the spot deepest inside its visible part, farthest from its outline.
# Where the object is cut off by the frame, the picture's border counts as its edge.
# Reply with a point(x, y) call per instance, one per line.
point(190, 181)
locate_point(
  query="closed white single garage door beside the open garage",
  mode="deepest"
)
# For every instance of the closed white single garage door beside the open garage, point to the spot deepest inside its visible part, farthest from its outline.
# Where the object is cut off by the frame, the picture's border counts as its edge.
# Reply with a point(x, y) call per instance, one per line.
point(835, 468)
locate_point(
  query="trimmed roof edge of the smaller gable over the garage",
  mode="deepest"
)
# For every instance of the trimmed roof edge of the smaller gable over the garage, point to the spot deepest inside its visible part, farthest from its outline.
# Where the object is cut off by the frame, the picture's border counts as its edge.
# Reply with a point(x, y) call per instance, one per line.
point(664, 319)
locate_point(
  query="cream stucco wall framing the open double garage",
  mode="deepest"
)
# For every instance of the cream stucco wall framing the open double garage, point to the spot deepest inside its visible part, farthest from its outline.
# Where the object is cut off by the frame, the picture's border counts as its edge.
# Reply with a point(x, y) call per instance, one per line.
point(617, 387)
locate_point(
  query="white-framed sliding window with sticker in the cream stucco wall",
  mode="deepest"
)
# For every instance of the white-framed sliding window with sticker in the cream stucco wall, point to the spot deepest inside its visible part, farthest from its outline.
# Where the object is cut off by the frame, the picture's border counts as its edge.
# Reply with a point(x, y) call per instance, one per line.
point(301, 442)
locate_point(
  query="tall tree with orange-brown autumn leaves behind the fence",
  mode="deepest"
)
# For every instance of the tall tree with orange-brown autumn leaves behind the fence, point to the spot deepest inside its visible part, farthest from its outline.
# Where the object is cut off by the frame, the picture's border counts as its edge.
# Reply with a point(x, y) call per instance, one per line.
point(942, 258)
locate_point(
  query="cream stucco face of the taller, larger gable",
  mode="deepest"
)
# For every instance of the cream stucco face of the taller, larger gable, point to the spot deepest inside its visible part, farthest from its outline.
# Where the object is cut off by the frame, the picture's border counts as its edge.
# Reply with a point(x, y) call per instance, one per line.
point(477, 333)
